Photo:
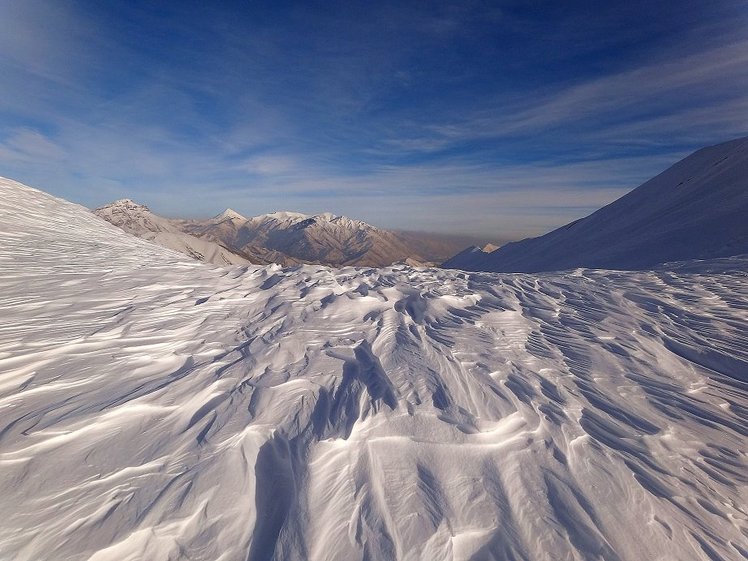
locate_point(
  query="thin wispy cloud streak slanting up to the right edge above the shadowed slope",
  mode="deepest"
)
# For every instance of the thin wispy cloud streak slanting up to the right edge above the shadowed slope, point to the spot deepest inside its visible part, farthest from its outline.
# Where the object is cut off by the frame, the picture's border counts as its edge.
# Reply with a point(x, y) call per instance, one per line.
point(704, 90)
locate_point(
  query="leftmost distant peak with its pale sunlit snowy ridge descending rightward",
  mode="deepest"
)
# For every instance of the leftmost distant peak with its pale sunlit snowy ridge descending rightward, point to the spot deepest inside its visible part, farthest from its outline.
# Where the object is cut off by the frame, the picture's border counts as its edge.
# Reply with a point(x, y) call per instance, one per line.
point(138, 220)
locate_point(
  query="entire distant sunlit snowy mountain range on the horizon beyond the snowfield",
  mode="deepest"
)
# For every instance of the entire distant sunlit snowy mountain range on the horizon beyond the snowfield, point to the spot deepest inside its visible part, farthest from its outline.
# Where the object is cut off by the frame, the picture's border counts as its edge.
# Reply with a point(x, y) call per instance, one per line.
point(285, 238)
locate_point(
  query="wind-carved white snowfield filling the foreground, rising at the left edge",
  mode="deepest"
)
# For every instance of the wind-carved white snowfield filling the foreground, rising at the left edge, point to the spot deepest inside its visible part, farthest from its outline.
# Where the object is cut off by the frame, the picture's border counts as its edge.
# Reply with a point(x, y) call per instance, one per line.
point(155, 408)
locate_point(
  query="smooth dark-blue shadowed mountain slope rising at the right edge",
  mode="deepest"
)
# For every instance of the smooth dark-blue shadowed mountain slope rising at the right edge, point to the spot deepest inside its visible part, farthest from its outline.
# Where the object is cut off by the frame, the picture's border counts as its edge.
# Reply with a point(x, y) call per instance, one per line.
point(697, 209)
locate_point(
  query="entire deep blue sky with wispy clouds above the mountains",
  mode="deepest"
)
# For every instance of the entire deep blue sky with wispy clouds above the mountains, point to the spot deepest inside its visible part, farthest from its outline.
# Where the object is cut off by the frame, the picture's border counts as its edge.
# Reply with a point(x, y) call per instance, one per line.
point(499, 119)
